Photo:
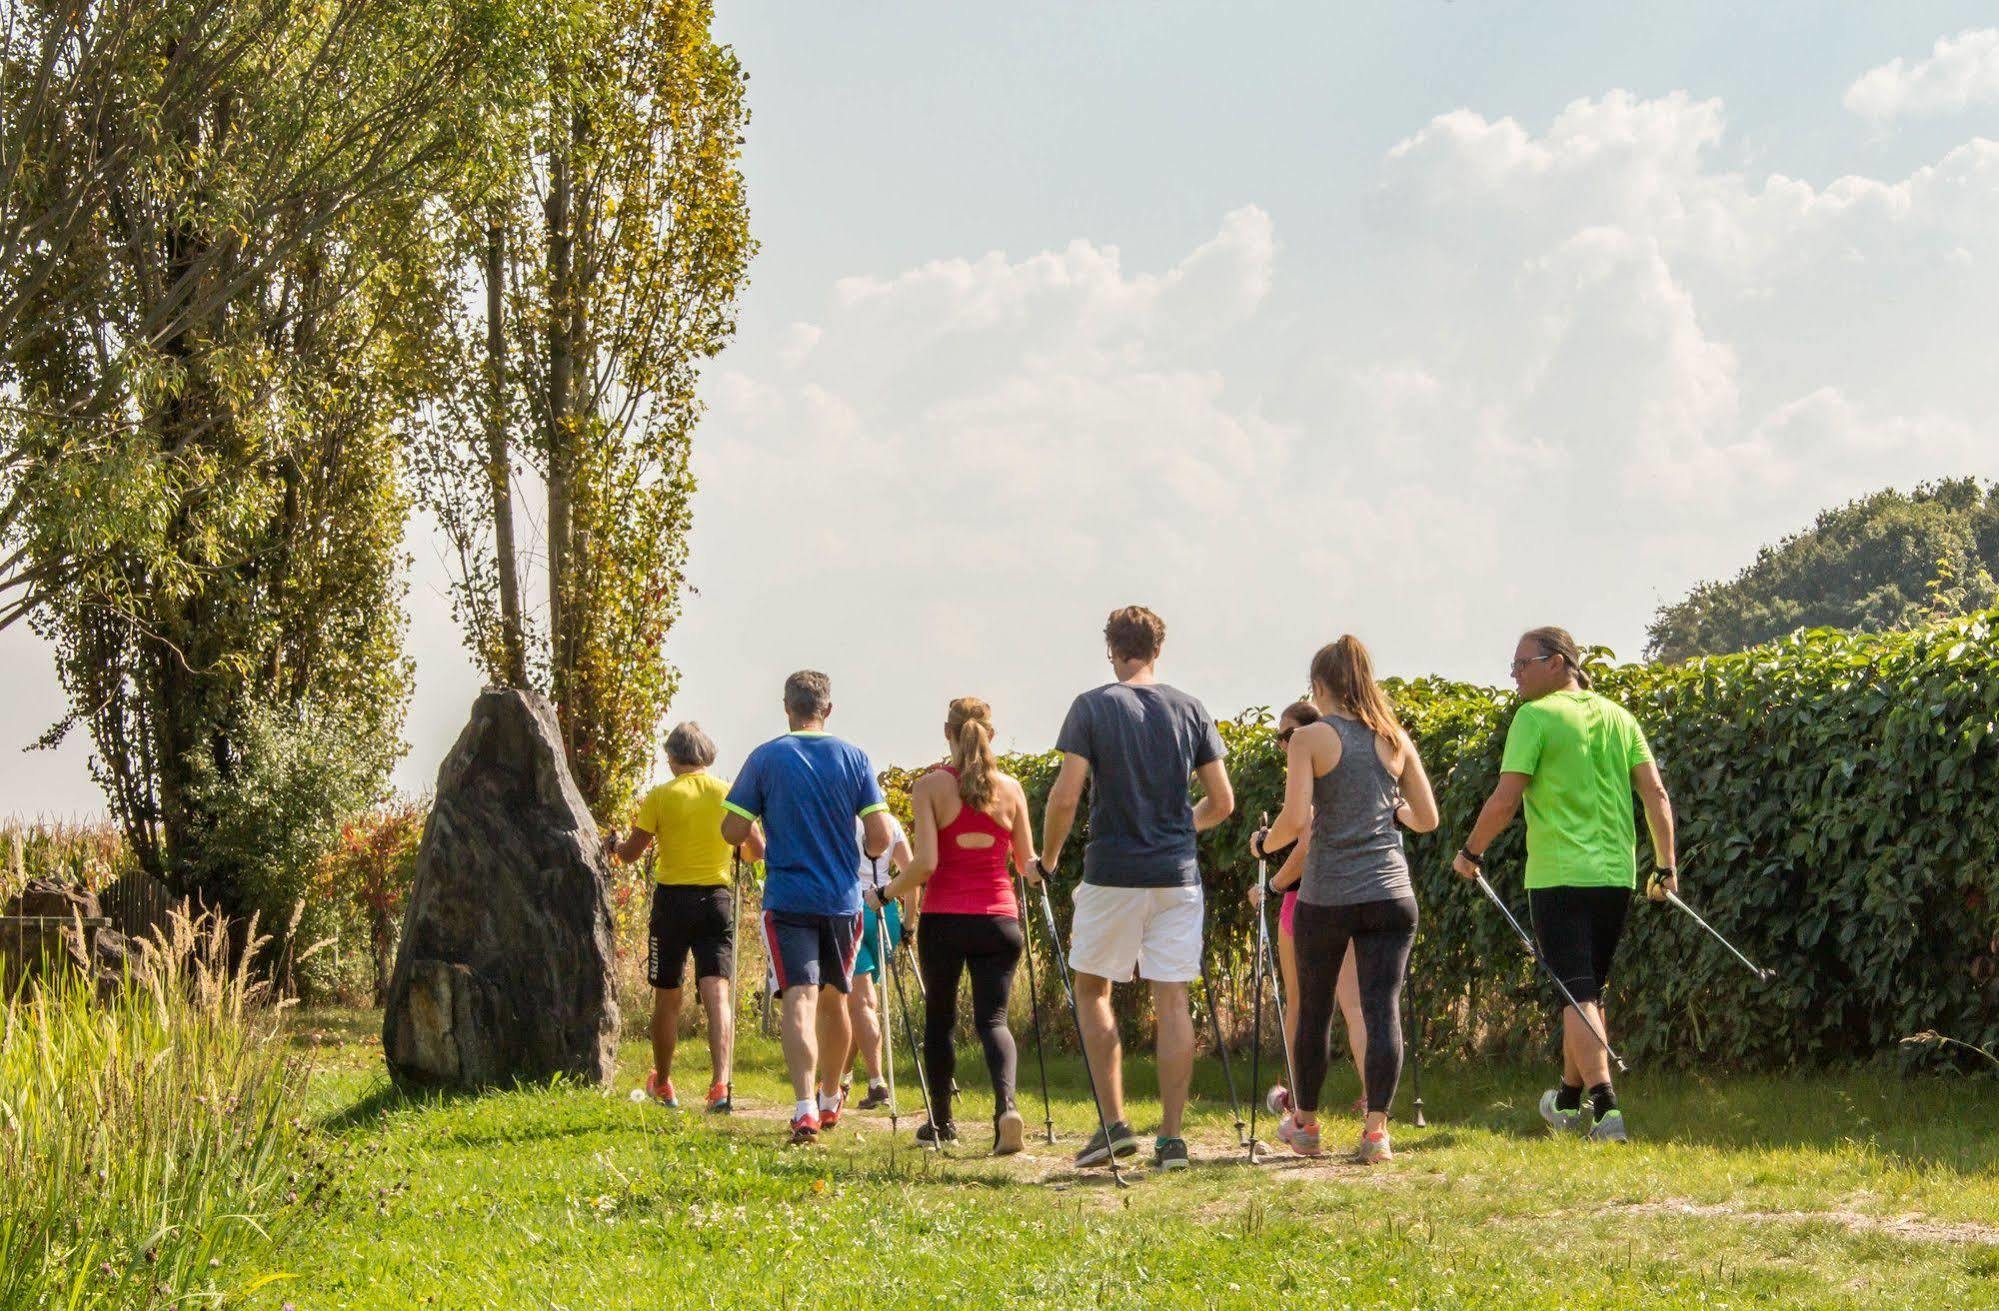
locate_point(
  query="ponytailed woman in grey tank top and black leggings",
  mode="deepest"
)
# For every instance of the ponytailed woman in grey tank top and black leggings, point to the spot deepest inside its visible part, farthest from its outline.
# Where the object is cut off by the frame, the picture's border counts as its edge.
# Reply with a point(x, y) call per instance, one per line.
point(1352, 784)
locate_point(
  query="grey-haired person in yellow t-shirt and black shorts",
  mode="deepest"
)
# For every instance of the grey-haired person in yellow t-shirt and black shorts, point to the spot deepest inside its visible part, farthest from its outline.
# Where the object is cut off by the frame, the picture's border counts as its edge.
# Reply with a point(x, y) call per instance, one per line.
point(693, 908)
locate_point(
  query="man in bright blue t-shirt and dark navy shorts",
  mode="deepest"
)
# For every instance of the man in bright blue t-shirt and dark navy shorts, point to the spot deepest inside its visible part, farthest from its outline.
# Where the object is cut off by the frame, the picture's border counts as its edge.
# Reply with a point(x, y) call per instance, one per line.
point(809, 788)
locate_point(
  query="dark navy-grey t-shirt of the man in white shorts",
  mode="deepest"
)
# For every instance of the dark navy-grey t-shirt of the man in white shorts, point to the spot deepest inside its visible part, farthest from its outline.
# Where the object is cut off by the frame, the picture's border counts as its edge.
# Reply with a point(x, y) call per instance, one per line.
point(1142, 742)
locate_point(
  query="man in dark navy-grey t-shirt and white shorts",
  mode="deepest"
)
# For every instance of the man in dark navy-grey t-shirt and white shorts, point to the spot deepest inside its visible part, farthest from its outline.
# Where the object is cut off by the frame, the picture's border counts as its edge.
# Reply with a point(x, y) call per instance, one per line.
point(1138, 910)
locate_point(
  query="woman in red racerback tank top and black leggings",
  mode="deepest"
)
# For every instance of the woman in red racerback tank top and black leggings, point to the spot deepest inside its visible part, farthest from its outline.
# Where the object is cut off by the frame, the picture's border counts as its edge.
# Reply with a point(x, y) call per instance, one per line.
point(971, 820)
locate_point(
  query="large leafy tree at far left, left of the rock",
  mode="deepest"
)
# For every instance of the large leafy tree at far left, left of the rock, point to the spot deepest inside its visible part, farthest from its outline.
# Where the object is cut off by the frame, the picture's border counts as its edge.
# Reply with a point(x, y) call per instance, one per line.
point(205, 457)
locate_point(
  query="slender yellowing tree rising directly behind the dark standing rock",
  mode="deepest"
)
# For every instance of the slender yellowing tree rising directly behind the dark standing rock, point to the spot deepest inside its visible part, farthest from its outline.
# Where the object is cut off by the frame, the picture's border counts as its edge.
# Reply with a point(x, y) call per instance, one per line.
point(613, 239)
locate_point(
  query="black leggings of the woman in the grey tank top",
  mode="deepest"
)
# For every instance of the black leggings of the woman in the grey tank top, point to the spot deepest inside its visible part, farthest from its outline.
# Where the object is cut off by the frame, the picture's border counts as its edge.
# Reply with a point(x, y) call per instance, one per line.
point(1382, 934)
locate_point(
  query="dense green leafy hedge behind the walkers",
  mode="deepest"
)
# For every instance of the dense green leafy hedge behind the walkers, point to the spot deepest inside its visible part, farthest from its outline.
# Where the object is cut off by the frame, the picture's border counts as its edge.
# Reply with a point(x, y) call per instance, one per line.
point(1840, 800)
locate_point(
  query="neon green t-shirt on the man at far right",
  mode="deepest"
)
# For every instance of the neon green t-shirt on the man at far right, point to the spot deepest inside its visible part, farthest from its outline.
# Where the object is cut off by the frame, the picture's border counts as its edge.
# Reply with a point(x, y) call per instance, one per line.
point(1578, 750)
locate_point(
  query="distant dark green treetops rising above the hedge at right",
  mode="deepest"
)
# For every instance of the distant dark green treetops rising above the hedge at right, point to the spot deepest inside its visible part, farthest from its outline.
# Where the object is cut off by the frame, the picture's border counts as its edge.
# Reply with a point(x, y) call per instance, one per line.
point(1884, 563)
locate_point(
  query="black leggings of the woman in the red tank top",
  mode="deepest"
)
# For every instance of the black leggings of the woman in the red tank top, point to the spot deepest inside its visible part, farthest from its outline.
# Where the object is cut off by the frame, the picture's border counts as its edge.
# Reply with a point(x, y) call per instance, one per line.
point(989, 946)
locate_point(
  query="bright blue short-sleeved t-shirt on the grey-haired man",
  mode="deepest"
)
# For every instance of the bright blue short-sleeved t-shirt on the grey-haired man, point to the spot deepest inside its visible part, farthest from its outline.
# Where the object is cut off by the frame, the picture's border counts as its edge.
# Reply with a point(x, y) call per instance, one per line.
point(809, 788)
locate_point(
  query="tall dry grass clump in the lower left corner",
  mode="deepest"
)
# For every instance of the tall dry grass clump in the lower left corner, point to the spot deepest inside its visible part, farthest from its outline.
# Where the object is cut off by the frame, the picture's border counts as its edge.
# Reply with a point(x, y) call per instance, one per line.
point(153, 1146)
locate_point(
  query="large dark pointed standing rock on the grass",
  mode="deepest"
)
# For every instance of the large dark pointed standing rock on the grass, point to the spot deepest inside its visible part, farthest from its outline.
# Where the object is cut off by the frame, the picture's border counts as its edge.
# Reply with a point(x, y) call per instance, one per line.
point(507, 962)
